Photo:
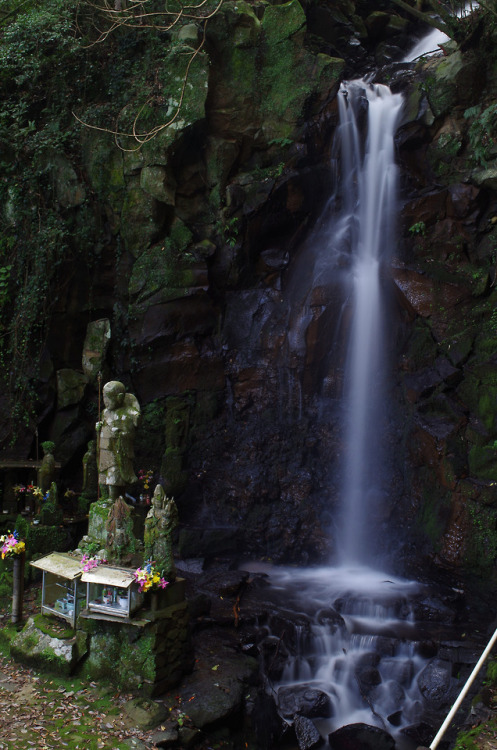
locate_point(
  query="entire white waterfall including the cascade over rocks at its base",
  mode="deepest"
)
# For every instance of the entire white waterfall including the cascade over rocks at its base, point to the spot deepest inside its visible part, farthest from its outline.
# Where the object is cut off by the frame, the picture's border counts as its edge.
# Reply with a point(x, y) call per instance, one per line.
point(357, 642)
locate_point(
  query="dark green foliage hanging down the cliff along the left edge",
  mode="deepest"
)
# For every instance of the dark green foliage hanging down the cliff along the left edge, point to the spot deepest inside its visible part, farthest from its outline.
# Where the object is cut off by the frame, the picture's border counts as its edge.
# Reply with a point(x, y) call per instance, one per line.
point(37, 130)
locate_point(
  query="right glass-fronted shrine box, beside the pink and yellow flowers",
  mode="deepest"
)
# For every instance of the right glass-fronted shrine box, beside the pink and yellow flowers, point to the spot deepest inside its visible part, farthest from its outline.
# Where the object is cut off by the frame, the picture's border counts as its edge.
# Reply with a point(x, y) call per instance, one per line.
point(112, 591)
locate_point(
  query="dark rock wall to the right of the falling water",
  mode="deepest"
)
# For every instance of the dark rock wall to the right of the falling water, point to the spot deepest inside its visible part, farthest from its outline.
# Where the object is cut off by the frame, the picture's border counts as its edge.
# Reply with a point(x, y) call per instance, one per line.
point(445, 277)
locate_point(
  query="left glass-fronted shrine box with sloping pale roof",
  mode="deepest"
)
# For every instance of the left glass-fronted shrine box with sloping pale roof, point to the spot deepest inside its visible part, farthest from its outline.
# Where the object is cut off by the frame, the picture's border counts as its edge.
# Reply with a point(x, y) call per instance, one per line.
point(63, 594)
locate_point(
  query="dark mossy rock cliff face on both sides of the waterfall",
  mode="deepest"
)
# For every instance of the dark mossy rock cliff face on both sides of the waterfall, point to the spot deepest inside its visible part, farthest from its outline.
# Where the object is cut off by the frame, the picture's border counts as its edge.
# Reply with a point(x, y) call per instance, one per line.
point(172, 267)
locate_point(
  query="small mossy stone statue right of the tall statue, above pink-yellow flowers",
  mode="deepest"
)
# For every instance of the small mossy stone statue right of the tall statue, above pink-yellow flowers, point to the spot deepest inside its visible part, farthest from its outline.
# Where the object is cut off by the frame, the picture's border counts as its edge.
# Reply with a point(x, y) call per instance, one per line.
point(160, 524)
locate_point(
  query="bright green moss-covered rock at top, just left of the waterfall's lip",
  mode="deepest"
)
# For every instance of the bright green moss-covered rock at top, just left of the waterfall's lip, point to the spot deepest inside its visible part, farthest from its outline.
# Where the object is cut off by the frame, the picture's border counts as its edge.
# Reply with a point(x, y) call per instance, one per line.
point(267, 74)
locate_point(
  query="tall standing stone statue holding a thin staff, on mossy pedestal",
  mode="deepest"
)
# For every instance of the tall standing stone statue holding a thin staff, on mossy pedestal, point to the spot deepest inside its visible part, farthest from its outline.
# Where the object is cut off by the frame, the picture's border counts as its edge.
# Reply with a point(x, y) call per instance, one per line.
point(117, 432)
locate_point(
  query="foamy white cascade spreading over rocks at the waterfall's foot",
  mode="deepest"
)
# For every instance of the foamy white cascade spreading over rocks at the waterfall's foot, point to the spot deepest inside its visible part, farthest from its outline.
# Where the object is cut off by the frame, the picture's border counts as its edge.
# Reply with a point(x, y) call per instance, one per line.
point(376, 622)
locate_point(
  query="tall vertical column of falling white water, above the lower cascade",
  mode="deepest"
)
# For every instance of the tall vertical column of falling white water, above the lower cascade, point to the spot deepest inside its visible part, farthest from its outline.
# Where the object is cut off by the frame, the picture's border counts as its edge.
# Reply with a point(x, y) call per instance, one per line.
point(369, 187)
